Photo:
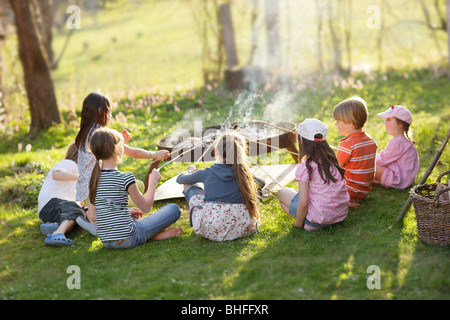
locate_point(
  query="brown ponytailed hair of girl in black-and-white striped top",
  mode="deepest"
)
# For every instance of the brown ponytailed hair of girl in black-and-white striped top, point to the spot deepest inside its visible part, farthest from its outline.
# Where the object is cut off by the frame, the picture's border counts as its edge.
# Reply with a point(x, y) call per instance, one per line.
point(103, 145)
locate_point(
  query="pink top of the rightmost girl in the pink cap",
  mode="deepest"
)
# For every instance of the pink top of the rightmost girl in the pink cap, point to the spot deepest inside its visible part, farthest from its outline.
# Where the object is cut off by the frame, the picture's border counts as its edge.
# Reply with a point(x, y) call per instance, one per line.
point(401, 162)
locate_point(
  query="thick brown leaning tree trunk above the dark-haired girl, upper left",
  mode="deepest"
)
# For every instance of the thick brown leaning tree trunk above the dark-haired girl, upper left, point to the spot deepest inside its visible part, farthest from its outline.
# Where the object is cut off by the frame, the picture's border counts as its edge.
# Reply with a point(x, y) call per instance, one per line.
point(38, 80)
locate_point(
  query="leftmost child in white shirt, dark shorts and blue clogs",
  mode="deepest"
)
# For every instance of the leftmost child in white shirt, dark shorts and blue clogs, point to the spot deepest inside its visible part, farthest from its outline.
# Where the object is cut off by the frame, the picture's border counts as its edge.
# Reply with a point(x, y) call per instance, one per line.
point(57, 207)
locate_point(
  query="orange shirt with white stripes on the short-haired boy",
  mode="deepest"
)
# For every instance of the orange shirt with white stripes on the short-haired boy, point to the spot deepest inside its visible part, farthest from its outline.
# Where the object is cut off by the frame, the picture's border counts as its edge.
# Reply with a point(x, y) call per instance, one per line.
point(357, 153)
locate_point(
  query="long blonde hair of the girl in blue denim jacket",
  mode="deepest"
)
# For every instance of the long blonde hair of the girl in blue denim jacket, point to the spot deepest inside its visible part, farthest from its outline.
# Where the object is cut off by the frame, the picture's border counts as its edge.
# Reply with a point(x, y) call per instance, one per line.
point(234, 150)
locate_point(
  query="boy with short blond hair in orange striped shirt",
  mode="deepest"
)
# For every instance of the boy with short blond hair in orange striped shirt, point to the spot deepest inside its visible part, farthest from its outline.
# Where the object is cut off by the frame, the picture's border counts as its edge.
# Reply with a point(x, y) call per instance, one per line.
point(356, 153)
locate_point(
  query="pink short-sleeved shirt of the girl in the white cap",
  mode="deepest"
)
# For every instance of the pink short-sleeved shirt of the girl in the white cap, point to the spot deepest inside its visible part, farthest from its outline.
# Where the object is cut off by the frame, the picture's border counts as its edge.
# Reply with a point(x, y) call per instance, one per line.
point(327, 203)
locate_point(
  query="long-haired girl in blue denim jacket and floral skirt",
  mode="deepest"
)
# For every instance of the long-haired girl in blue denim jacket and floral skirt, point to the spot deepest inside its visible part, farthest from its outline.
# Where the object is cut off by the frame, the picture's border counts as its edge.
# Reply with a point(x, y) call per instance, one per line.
point(228, 207)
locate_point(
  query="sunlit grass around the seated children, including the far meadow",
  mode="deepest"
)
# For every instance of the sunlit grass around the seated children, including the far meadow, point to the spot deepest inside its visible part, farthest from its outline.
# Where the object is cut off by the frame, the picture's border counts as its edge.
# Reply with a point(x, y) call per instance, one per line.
point(281, 262)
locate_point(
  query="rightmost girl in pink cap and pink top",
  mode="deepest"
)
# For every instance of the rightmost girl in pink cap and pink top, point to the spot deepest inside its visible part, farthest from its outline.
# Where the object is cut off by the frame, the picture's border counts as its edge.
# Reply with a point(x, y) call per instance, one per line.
point(398, 163)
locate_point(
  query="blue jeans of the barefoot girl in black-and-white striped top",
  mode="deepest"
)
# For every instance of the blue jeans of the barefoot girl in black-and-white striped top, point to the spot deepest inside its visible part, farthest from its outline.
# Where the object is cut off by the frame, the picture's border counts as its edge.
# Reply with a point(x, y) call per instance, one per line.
point(148, 227)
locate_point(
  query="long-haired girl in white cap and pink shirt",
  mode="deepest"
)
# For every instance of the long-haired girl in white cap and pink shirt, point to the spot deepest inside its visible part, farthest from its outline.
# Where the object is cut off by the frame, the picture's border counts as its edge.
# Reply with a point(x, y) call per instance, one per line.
point(322, 198)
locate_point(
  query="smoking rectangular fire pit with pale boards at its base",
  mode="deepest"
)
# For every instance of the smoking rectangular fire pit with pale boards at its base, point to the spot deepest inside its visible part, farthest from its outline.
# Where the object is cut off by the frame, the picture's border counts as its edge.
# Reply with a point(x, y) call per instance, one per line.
point(197, 145)
